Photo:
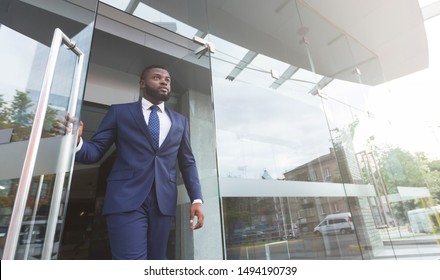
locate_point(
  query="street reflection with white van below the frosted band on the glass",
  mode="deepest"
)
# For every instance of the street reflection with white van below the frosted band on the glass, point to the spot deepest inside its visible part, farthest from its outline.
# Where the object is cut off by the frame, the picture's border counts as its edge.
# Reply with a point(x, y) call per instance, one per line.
point(289, 228)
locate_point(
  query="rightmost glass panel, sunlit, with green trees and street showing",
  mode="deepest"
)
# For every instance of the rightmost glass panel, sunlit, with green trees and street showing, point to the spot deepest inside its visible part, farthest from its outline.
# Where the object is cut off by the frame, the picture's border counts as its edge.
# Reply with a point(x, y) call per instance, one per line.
point(402, 210)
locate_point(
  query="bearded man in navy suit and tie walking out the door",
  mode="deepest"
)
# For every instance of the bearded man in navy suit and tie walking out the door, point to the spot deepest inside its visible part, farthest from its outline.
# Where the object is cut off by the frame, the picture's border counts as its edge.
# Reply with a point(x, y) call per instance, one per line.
point(141, 195)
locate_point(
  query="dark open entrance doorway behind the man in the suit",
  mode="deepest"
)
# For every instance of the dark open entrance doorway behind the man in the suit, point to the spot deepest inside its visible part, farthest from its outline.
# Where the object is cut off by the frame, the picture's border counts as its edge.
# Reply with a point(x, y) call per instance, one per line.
point(116, 62)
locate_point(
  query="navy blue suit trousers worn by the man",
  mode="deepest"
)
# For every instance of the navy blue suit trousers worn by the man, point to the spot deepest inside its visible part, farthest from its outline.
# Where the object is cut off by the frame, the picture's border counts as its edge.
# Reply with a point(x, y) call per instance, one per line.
point(140, 234)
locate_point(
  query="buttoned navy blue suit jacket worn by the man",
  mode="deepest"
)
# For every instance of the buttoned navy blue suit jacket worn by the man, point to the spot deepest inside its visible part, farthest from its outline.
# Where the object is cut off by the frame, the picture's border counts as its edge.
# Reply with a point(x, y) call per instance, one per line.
point(138, 164)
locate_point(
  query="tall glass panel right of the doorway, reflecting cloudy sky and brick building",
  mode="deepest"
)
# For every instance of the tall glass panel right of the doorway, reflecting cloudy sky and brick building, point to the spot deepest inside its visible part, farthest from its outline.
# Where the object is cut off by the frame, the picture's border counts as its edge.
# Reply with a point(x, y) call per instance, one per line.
point(264, 138)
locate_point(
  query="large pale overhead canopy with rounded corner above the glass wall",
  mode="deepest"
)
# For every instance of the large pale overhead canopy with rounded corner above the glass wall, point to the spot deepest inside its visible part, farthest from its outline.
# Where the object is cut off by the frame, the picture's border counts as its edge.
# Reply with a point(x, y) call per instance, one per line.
point(381, 39)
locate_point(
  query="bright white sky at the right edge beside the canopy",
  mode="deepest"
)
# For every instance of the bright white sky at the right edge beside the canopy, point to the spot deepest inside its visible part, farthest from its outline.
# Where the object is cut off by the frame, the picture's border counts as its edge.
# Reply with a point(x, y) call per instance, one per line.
point(414, 116)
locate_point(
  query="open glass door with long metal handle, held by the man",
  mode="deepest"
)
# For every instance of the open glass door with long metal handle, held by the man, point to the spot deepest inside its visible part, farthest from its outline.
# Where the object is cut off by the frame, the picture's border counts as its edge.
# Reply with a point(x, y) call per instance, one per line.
point(44, 62)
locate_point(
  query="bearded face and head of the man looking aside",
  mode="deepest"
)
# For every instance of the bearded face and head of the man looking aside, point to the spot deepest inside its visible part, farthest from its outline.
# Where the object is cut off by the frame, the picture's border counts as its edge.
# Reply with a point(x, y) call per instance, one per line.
point(156, 85)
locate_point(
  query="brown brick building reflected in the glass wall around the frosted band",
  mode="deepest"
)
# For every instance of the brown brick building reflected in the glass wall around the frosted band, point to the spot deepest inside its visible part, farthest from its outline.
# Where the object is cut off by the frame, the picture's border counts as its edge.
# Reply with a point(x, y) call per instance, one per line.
point(338, 166)
